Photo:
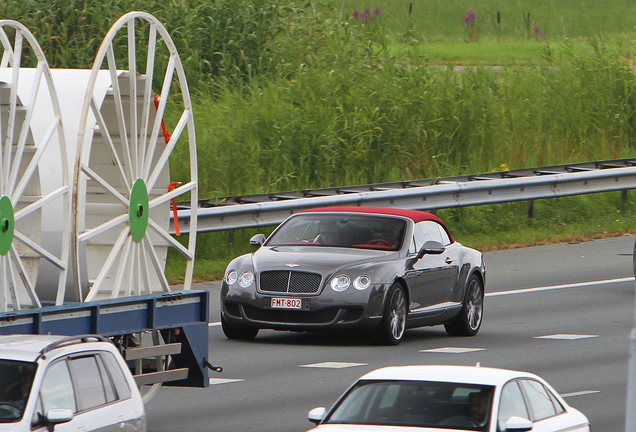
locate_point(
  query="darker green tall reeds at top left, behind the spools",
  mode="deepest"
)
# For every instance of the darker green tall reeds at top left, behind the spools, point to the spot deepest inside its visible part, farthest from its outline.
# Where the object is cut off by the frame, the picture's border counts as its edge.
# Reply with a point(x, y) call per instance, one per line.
point(221, 39)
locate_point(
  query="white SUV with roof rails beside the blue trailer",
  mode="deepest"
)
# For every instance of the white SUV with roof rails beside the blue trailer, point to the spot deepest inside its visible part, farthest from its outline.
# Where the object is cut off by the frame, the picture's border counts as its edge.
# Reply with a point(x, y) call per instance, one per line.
point(64, 383)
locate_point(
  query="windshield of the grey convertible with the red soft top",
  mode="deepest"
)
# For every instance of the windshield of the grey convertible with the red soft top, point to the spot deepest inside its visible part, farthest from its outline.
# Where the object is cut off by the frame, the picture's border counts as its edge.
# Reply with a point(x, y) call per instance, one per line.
point(341, 230)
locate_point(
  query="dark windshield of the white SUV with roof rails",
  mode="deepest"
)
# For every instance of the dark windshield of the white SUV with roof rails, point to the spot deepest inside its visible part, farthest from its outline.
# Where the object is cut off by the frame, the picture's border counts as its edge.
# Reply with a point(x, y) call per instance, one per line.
point(16, 378)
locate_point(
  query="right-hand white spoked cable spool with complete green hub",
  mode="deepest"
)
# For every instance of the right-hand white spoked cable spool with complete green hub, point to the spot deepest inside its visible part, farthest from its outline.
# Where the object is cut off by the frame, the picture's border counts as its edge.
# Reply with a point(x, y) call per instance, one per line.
point(121, 177)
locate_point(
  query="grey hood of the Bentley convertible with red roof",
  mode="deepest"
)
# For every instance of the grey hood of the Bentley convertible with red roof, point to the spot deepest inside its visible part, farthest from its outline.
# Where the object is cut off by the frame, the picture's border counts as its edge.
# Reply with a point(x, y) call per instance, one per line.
point(316, 258)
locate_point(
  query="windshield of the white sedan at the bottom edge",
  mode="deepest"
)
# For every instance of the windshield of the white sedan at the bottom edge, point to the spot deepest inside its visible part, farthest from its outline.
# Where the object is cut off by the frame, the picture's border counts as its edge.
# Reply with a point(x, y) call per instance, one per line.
point(416, 403)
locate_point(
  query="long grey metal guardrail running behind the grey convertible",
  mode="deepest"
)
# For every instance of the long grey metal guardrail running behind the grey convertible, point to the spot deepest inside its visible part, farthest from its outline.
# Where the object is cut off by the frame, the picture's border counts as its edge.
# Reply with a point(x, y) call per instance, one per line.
point(499, 187)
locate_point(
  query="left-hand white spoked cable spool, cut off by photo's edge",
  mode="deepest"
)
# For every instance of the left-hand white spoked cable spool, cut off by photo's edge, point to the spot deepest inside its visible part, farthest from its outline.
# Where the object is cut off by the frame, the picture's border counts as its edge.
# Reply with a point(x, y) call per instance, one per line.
point(34, 202)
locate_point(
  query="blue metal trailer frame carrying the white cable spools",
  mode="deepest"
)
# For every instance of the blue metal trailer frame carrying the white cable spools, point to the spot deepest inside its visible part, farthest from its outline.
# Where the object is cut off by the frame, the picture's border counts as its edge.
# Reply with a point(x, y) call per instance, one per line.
point(183, 315)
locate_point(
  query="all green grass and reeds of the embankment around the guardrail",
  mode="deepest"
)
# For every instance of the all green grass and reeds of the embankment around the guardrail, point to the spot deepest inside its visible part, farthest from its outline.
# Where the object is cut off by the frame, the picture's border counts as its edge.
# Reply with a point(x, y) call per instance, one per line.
point(291, 95)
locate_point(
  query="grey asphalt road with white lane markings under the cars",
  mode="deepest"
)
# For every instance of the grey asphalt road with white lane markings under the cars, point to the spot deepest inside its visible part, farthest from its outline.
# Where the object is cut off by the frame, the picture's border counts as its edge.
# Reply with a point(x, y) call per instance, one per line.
point(531, 293)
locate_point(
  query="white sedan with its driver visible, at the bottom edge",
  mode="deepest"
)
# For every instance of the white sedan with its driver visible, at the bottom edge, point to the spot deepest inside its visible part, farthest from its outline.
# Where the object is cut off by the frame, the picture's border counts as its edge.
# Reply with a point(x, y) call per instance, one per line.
point(449, 398)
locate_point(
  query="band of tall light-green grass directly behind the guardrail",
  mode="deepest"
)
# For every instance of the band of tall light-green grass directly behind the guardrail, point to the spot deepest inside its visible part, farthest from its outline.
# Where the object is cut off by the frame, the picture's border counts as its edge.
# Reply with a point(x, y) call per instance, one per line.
point(370, 116)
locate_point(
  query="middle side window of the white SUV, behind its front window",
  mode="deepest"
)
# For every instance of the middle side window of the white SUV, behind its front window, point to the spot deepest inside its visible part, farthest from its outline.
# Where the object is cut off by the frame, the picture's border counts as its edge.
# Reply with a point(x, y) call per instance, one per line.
point(88, 382)
